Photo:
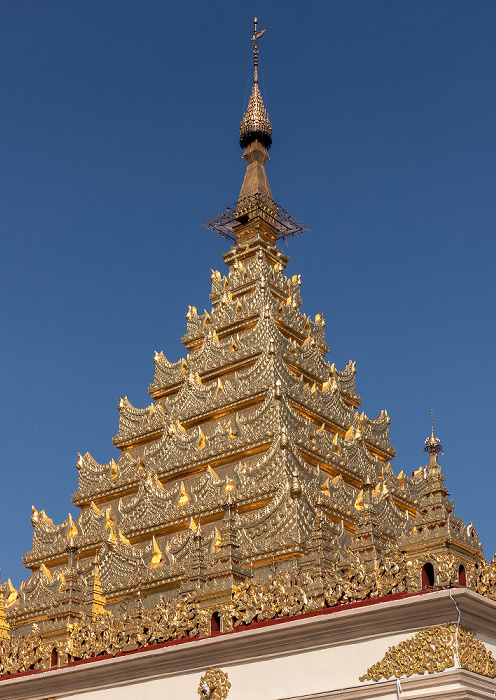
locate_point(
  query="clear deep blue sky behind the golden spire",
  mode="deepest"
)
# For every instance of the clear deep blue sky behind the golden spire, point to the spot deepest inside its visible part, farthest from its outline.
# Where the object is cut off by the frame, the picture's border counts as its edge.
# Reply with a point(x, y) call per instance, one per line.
point(119, 138)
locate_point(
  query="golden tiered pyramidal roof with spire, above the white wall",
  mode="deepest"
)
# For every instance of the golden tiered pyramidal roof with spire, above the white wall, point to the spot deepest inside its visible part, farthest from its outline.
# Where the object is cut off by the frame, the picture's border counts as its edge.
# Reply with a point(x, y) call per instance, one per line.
point(252, 486)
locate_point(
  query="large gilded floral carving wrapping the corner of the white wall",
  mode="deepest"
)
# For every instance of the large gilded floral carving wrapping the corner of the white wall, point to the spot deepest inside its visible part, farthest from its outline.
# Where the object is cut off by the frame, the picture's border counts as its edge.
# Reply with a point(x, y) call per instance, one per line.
point(434, 650)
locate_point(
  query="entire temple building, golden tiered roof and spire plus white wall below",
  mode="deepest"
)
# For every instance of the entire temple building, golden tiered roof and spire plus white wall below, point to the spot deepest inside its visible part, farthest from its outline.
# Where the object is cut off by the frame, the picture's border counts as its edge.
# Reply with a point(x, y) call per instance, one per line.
point(252, 539)
